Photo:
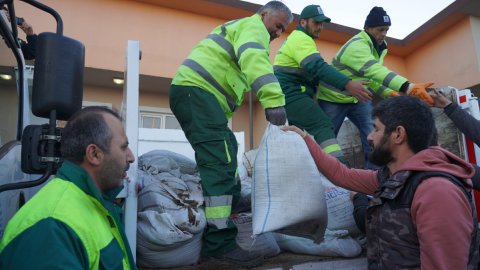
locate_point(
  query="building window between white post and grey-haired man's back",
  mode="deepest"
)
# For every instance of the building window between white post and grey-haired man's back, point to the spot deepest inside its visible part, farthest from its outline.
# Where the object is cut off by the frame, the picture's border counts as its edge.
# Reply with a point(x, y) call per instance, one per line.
point(158, 118)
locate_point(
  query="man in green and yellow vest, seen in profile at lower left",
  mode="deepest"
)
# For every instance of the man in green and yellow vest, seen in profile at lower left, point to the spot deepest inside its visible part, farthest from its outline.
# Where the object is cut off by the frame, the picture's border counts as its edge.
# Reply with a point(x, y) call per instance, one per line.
point(73, 221)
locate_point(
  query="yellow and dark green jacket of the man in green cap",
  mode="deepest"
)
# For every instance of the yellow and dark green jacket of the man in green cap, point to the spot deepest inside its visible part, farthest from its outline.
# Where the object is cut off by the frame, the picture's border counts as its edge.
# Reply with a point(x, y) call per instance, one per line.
point(299, 67)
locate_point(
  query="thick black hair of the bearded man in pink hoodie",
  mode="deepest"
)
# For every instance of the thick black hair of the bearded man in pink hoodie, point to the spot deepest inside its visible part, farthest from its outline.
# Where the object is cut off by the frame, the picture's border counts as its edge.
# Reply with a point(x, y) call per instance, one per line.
point(412, 114)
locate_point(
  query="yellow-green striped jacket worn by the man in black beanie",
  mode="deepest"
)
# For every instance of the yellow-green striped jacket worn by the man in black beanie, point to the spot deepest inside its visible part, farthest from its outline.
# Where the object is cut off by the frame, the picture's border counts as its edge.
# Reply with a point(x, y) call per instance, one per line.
point(359, 60)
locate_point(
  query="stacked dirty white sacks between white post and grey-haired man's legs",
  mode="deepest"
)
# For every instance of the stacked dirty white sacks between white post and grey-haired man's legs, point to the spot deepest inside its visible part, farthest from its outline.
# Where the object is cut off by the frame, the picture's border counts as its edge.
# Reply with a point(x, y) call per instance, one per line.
point(171, 218)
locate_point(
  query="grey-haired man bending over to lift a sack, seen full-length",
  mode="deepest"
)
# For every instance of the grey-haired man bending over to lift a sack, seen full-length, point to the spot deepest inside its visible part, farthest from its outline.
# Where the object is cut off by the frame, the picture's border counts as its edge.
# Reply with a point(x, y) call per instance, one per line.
point(207, 88)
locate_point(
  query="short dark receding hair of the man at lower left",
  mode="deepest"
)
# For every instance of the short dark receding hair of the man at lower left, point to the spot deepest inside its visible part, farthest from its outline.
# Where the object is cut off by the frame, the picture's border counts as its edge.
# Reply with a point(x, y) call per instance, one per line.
point(85, 127)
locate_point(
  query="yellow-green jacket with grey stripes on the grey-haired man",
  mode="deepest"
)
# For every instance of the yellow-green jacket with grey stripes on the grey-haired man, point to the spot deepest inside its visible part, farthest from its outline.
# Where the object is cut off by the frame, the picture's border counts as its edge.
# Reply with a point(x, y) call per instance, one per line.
point(233, 59)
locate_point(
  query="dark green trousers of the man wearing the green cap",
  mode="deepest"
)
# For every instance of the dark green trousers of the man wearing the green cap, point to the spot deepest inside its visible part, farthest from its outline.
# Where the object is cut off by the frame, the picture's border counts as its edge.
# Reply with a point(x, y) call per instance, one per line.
point(304, 113)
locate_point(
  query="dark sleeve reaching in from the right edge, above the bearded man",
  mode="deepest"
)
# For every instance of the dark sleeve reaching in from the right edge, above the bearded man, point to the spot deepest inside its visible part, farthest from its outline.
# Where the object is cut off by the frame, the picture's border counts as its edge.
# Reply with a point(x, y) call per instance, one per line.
point(465, 122)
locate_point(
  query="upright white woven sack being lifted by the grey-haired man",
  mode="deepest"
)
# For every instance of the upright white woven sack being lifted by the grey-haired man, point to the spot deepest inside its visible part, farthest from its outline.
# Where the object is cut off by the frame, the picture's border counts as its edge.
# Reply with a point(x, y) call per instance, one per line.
point(287, 187)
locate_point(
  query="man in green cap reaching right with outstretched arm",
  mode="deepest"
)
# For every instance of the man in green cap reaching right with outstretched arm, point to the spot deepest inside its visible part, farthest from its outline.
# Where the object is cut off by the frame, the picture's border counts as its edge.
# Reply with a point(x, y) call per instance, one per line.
point(299, 67)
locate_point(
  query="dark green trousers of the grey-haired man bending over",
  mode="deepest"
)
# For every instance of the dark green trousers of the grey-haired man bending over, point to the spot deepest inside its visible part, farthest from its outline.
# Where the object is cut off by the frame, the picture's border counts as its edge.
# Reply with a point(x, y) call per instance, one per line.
point(205, 127)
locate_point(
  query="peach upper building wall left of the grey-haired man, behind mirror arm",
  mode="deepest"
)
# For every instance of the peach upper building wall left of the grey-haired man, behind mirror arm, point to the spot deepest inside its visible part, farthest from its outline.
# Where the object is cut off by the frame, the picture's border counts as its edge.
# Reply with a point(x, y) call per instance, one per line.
point(104, 26)
